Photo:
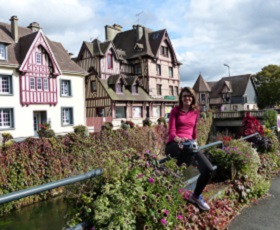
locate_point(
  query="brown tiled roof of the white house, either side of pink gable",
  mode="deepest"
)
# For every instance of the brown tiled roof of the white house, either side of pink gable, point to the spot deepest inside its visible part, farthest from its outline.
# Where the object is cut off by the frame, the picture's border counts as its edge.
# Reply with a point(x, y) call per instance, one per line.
point(18, 51)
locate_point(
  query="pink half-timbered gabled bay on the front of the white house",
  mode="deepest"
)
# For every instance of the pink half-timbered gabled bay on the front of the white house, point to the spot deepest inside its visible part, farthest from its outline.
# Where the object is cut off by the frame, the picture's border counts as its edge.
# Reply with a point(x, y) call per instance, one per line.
point(38, 82)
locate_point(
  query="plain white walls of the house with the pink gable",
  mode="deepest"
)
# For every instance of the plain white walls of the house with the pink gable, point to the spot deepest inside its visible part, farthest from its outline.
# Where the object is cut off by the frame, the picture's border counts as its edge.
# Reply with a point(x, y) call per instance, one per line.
point(23, 116)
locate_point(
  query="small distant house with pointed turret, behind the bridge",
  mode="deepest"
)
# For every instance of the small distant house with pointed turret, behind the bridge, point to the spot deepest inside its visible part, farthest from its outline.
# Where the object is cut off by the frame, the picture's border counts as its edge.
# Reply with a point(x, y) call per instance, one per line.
point(234, 93)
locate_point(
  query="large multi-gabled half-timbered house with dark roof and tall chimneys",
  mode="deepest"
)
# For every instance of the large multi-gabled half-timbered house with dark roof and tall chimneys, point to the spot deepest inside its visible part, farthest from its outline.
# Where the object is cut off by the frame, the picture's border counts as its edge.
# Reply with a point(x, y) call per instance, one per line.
point(134, 74)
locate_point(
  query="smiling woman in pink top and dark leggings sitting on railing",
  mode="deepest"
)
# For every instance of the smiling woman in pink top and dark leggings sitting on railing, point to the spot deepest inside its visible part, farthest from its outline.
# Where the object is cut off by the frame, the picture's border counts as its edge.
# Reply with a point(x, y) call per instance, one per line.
point(182, 127)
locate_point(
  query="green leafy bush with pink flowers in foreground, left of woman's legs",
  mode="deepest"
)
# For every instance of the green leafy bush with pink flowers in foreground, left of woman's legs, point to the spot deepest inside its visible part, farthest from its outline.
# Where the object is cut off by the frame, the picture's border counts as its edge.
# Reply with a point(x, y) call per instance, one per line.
point(132, 194)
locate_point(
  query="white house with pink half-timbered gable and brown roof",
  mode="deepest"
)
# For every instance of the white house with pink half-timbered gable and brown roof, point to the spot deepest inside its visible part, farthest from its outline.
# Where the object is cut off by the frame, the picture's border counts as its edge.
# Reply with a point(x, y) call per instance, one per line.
point(39, 83)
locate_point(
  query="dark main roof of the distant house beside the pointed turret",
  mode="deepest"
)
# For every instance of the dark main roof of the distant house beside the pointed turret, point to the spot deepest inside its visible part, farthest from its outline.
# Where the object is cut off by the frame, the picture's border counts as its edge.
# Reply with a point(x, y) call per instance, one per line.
point(237, 84)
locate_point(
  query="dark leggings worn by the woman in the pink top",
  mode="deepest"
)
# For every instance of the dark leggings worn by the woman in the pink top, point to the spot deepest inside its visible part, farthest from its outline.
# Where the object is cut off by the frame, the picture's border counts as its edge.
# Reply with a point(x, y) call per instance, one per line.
point(198, 159)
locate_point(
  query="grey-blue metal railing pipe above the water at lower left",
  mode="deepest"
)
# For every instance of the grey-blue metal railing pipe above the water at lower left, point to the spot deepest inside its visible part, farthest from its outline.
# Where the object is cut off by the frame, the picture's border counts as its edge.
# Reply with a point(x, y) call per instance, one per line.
point(45, 187)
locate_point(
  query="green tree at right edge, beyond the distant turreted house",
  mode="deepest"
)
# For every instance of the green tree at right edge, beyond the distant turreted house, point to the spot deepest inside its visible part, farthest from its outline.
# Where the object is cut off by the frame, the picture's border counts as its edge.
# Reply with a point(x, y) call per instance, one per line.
point(267, 83)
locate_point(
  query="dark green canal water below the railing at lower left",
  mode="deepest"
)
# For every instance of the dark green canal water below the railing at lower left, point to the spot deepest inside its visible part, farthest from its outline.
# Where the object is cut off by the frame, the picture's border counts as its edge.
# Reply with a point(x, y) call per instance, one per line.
point(46, 215)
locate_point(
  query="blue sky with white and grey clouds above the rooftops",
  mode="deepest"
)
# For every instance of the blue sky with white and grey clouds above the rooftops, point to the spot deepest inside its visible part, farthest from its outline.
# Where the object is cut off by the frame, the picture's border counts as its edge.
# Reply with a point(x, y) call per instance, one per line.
point(206, 34)
